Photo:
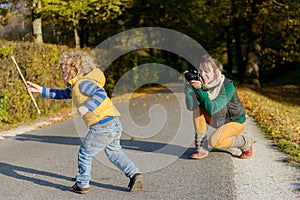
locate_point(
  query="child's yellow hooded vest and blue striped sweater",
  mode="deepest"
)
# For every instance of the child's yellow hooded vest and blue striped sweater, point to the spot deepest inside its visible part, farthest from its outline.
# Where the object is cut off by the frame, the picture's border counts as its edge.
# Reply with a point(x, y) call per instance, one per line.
point(87, 91)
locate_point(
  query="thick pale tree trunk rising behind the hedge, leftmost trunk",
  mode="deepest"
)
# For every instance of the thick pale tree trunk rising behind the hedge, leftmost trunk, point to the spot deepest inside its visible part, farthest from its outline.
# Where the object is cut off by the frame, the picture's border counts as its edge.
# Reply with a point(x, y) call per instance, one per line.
point(37, 21)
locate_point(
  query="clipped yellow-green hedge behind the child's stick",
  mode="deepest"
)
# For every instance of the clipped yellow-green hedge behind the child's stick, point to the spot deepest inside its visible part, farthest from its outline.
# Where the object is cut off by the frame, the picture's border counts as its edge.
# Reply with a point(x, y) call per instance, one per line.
point(38, 64)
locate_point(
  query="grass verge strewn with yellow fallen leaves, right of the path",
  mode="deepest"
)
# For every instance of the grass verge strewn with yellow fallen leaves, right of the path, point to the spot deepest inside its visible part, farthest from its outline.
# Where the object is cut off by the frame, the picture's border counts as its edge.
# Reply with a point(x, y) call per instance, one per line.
point(279, 119)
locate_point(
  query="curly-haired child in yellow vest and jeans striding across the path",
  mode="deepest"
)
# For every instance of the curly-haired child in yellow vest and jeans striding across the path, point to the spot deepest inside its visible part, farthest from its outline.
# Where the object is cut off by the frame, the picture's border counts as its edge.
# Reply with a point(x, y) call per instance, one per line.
point(85, 86)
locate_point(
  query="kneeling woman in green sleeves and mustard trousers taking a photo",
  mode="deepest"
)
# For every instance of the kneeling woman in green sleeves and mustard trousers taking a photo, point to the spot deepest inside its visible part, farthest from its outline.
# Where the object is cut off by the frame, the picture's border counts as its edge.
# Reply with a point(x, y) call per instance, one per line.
point(214, 101)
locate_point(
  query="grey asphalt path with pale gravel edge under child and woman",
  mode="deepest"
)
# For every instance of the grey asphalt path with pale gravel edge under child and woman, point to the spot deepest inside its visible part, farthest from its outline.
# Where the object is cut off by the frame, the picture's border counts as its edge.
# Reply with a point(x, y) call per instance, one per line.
point(158, 137)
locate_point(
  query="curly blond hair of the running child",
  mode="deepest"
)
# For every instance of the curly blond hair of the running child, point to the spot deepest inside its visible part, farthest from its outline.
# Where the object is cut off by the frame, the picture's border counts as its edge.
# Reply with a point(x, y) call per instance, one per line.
point(76, 62)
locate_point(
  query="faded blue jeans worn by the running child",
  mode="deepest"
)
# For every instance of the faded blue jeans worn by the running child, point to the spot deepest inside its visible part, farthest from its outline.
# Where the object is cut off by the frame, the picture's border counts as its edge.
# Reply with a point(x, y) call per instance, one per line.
point(99, 137)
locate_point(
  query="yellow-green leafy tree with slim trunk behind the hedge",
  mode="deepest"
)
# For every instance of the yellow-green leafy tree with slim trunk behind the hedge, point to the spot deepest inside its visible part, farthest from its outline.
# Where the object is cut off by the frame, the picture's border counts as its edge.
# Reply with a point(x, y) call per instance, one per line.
point(74, 11)
